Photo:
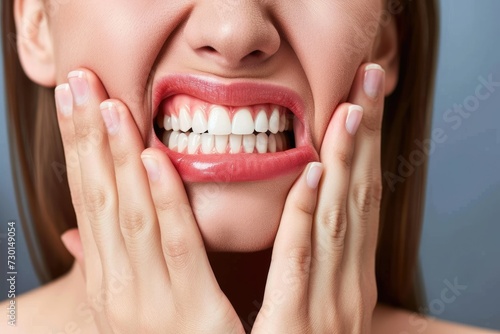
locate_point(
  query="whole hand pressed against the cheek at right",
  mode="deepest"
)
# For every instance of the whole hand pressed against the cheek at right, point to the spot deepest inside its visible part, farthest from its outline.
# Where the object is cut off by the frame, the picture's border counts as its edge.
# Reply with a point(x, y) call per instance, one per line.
point(322, 274)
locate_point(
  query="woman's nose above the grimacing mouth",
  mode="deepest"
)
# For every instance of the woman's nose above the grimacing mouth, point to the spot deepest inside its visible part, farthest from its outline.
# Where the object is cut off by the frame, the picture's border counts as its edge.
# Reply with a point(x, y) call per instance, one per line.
point(232, 33)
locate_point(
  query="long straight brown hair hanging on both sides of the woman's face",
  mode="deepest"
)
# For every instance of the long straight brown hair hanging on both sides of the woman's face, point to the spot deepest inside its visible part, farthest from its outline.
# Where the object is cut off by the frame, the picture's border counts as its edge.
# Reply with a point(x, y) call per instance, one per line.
point(38, 160)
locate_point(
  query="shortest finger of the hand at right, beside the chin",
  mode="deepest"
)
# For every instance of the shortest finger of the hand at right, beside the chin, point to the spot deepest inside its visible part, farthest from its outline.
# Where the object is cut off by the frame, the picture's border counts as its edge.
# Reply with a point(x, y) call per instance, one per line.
point(288, 278)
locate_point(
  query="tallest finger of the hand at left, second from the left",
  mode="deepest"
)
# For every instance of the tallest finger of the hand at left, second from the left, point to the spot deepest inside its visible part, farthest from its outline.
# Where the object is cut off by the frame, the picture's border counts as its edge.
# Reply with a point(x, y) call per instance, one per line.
point(96, 168)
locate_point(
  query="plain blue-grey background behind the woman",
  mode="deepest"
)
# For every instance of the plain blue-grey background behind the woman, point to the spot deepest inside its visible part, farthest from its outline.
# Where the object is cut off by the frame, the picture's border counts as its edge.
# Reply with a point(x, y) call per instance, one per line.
point(461, 230)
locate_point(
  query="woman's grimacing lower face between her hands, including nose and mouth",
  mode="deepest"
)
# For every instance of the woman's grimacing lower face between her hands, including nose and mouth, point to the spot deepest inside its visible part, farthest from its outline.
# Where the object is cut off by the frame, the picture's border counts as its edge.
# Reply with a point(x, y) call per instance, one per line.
point(208, 69)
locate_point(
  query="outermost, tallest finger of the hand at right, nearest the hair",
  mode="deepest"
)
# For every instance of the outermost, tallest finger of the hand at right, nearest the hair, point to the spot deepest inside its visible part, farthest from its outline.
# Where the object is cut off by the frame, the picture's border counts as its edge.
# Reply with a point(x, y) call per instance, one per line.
point(366, 187)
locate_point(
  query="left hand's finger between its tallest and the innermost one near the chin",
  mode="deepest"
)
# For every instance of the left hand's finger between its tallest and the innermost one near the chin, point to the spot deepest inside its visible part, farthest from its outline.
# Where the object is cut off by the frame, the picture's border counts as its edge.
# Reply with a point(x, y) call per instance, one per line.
point(137, 213)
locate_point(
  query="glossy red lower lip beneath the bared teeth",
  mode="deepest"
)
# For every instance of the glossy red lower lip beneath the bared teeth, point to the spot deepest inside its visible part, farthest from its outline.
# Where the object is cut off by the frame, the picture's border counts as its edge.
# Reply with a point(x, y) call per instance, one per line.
point(238, 167)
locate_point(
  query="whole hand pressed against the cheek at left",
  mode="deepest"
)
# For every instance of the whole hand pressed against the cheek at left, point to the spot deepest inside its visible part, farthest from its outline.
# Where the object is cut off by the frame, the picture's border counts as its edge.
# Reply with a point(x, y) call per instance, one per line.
point(145, 264)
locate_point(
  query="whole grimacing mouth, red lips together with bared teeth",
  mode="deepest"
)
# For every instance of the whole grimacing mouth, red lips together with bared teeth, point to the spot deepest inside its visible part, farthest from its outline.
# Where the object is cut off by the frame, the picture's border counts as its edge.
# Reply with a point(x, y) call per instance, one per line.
point(233, 132)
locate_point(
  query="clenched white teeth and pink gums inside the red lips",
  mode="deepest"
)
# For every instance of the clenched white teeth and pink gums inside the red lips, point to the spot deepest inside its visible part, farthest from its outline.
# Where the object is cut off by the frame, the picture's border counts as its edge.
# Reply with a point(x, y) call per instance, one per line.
point(188, 125)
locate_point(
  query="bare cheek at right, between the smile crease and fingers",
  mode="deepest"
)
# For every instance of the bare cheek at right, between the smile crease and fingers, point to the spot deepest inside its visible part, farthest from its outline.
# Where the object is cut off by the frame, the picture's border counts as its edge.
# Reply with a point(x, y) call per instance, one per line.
point(331, 47)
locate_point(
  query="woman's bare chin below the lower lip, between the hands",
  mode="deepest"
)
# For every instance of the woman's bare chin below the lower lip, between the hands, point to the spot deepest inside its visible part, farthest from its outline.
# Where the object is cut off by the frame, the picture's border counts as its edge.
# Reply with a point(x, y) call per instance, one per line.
point(239, 217)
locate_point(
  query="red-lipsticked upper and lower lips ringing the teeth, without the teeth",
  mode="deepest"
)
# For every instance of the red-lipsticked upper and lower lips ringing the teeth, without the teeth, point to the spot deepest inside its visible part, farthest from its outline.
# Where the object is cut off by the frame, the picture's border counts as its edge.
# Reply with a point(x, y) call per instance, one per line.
point(242, 166)
